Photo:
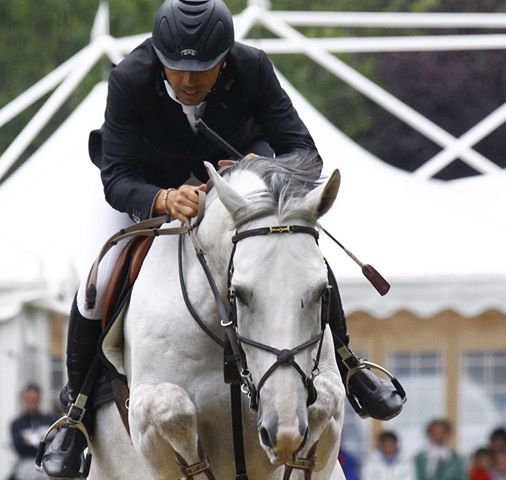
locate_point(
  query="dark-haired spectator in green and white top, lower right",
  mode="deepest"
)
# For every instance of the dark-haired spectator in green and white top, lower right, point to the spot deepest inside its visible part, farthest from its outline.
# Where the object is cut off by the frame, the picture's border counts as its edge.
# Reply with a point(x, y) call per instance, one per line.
point(438, 461)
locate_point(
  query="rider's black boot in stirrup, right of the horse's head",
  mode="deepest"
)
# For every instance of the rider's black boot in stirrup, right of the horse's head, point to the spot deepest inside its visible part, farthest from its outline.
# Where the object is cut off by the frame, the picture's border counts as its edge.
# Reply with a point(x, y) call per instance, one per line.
point(369, 395)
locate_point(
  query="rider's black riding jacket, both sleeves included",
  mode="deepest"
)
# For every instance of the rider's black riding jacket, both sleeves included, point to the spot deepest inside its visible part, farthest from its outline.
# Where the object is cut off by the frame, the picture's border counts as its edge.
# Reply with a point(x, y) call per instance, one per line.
point(147, 143)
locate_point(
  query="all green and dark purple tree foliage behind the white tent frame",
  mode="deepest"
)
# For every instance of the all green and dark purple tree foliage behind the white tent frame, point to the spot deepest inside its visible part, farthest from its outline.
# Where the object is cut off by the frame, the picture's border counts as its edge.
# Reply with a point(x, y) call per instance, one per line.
point(454, 89)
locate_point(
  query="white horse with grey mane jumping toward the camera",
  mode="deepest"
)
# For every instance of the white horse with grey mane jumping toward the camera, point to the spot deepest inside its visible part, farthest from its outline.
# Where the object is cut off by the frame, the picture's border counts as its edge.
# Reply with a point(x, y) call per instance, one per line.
point(178, 400)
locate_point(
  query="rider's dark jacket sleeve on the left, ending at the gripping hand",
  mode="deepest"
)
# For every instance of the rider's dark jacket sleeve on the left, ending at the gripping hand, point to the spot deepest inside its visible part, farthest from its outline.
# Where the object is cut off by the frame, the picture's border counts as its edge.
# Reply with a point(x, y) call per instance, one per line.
point(124, 185)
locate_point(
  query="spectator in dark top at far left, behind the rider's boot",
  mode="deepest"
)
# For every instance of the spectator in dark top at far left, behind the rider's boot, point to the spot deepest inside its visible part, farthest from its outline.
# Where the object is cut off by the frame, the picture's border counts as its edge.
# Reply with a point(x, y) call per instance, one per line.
point(27, 431)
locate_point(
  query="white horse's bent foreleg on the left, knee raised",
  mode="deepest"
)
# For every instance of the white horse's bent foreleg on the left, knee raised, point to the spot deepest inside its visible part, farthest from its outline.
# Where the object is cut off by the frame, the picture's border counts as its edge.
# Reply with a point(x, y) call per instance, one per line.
point(163, 420)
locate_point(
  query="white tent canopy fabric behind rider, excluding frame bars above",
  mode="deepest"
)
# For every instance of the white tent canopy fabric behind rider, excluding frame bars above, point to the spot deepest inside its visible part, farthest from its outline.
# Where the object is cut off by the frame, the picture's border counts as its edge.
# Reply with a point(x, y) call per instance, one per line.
point(440, 244)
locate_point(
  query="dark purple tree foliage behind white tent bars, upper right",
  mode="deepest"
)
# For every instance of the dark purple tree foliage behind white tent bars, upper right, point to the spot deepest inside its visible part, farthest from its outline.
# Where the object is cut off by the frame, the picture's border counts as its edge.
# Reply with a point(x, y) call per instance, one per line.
point(453, 89)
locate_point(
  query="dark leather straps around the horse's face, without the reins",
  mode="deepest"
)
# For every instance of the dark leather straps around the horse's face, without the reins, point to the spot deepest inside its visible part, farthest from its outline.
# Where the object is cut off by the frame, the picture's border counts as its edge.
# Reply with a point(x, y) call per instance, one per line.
point(285, 357)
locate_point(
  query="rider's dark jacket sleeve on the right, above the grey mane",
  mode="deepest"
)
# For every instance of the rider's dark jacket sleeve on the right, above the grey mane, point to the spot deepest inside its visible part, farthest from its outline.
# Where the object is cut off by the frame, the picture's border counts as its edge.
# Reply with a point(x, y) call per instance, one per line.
point(280, 123)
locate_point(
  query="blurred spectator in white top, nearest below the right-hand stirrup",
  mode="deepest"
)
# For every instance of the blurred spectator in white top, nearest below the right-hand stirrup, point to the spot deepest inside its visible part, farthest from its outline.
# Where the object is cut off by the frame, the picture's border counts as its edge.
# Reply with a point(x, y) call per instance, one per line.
point(386, 462)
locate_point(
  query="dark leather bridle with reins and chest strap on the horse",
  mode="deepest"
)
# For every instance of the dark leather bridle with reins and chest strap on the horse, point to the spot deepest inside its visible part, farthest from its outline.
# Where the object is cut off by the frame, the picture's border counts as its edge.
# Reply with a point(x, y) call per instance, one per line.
point(236, 370)
